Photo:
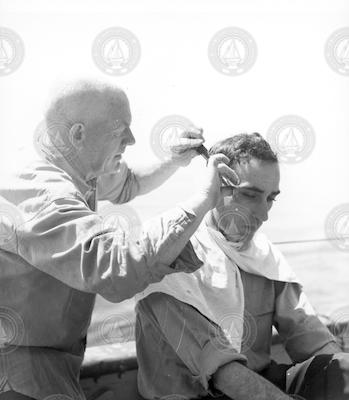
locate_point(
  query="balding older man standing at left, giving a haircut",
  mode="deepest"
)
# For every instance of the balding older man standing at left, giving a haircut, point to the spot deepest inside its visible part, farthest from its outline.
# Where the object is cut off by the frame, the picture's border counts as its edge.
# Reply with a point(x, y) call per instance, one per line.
point(58, 254)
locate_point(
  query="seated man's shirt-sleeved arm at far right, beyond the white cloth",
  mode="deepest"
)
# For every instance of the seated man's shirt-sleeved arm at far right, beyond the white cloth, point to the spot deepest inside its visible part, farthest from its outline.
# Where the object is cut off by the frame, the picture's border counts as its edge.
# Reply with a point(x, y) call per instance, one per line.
point(303, 333)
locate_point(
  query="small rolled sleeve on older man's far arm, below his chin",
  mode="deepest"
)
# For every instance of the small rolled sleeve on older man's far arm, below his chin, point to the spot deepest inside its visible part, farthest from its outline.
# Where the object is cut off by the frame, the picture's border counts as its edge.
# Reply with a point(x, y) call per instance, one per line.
point(118, 187)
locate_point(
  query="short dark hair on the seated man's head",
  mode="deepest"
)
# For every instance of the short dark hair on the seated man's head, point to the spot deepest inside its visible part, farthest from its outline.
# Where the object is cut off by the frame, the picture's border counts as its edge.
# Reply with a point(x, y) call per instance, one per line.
point(243, 147)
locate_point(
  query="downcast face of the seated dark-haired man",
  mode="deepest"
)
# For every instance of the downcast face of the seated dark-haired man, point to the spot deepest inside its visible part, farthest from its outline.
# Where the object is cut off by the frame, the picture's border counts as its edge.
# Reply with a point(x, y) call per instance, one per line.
point(242, 211)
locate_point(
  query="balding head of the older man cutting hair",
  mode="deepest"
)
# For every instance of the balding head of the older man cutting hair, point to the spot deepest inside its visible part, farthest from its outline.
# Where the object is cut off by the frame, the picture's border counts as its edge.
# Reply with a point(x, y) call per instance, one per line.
point(90, 120)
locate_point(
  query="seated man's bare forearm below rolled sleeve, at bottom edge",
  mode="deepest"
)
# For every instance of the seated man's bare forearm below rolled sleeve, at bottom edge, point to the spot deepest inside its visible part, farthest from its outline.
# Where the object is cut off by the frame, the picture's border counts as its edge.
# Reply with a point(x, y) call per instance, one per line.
point(240, 383)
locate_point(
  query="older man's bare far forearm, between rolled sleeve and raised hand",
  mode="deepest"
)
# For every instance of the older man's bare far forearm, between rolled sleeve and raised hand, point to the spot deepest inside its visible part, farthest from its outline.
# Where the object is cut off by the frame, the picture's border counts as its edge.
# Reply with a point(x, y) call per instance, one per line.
point(153, 176)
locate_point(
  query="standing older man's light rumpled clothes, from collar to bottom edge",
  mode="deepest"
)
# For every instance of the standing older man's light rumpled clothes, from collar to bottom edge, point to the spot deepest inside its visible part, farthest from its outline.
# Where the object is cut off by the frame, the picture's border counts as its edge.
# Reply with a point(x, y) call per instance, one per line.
point(55, 256)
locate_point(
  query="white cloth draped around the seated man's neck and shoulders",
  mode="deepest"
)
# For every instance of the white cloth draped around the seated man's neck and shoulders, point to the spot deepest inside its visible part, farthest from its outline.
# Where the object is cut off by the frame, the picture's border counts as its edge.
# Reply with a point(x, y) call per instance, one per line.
point(216, 288)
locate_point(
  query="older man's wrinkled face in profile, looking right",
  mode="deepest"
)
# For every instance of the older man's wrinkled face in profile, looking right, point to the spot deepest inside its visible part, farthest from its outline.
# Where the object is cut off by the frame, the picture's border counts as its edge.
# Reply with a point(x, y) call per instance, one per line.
point(109, 135)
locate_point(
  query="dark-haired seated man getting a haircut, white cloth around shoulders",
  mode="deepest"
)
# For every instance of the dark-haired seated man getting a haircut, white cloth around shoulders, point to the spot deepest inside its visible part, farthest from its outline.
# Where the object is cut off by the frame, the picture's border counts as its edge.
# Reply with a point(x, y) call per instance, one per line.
point(210, 331)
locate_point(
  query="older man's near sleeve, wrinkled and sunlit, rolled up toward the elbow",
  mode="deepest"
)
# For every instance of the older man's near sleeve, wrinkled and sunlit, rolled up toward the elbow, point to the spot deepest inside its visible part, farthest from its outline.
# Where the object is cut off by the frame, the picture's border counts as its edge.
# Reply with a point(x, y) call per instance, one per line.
point(67, 240)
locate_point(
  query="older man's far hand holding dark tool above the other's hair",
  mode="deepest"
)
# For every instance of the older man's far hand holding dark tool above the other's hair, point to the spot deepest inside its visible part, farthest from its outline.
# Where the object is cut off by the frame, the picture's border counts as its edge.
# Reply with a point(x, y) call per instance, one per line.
point(183, 148)
